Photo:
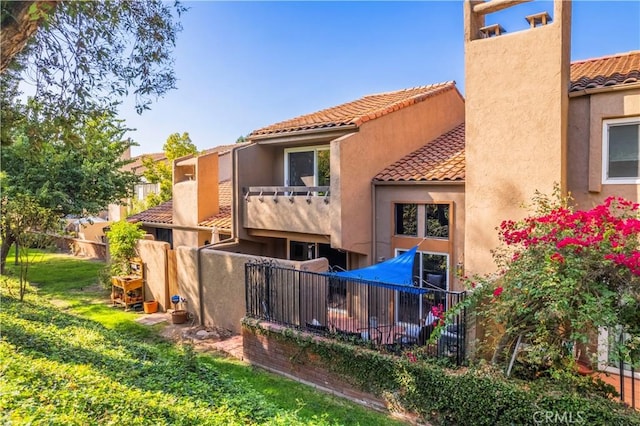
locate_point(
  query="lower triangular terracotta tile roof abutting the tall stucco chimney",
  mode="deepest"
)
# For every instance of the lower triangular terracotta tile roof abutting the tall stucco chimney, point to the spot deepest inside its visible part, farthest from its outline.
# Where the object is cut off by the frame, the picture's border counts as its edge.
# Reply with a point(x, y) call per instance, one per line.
point(442, 159)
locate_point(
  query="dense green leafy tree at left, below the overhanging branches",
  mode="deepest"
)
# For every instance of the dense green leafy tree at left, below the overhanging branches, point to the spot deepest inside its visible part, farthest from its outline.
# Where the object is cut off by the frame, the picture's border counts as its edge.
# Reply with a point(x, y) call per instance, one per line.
point(79, 175)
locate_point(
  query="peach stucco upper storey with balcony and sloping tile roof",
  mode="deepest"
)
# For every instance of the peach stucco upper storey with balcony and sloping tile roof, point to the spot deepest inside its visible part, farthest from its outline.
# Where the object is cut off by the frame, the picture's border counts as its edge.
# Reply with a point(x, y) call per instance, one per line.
point(303, 186)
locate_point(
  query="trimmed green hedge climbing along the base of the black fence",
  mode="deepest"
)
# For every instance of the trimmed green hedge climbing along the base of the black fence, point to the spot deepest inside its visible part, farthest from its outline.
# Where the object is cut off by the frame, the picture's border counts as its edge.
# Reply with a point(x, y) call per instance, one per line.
point(476, 395)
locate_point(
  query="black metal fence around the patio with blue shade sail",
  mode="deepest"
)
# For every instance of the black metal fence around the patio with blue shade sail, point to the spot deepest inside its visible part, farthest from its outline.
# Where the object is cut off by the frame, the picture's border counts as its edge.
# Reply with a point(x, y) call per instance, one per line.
point(387, 317)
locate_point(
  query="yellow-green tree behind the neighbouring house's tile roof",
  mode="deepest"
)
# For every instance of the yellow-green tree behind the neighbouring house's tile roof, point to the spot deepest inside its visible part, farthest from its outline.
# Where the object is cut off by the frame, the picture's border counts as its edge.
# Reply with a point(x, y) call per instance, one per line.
point(161, 173)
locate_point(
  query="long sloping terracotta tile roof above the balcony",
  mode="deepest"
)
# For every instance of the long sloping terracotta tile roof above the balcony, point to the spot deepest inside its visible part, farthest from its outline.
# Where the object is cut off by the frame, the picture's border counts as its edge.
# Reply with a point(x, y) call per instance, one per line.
point(357, 112)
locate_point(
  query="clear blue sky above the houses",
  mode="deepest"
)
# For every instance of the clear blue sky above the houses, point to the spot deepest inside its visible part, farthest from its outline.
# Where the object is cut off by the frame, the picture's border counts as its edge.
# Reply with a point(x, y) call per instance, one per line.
point(244, 65)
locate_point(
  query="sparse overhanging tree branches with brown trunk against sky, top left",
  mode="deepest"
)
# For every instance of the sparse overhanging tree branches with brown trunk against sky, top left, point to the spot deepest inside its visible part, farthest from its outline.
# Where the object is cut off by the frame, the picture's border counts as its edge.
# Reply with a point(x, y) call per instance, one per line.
point(81, 55)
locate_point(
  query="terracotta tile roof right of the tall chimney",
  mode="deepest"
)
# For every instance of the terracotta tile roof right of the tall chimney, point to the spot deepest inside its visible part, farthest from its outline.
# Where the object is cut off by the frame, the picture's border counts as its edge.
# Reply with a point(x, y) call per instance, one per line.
point(613, 70)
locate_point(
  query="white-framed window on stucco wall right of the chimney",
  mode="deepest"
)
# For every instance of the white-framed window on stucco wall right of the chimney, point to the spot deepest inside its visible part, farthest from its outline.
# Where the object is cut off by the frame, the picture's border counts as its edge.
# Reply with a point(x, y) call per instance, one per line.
point(621, 151)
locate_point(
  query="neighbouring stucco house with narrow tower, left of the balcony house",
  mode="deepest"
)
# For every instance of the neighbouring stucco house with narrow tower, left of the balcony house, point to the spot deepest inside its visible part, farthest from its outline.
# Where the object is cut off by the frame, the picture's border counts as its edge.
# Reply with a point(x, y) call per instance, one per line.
point(200, 211)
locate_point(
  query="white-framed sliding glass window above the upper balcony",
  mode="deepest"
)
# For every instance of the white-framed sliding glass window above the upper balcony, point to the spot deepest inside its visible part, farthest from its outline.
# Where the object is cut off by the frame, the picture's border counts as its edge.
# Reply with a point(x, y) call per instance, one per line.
point(307, 166)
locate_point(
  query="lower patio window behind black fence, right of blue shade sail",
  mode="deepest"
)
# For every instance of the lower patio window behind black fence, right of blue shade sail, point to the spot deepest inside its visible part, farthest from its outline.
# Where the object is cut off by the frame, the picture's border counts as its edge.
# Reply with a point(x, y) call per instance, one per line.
point(430, 271)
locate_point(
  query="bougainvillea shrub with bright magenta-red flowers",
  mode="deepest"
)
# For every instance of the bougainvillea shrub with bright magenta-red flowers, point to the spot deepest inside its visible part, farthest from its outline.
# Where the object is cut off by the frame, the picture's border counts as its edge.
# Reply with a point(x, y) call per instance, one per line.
point(563, 273)
